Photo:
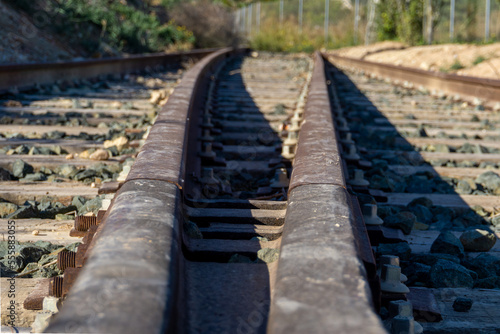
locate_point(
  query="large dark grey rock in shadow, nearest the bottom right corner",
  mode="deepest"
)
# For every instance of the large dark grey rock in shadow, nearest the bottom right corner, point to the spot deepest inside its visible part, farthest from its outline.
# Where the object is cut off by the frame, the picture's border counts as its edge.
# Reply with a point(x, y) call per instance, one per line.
point(448, 274)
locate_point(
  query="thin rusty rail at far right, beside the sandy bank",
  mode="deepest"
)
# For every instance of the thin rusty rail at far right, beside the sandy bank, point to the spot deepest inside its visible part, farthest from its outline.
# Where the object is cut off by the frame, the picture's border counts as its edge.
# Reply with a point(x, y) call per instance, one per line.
point(471, 87)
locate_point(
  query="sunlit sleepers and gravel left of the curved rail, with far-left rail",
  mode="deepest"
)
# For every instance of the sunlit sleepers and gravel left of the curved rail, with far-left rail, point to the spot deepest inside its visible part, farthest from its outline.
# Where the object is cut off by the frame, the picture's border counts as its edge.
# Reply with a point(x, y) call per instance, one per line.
point(65, 148)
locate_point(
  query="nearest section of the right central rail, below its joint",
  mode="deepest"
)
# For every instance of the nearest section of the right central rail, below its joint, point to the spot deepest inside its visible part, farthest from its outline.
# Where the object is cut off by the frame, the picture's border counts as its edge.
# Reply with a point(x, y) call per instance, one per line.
point(321, 283)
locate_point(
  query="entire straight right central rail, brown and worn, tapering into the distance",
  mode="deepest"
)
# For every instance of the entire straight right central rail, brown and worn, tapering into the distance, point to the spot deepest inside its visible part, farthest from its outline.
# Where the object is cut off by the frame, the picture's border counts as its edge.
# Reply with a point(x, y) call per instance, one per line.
point(321, 284)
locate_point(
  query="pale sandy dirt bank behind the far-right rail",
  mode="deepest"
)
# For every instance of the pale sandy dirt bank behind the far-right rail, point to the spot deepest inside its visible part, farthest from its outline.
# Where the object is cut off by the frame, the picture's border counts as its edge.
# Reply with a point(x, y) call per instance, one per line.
point(462, 59)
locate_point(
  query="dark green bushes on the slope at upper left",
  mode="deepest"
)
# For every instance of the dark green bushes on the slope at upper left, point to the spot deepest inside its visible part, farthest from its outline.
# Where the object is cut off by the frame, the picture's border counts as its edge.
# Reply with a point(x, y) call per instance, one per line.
point(107, 25)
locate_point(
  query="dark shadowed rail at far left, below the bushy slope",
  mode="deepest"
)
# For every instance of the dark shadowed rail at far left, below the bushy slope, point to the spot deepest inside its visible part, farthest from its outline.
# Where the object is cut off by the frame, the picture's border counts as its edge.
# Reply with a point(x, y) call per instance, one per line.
point(25, 76)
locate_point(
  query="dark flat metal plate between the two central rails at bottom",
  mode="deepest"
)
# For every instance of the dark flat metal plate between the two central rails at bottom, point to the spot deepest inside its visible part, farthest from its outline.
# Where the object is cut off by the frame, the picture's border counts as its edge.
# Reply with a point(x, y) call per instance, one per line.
point(228, 285)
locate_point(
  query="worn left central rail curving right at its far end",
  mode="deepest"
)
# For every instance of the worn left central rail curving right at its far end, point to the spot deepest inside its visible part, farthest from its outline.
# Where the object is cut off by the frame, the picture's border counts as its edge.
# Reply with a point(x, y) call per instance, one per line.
point(128, 285)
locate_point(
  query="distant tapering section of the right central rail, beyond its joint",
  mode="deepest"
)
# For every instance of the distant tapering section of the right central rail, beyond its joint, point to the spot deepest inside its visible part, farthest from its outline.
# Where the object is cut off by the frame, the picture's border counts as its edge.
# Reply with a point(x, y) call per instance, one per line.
point(317, 160)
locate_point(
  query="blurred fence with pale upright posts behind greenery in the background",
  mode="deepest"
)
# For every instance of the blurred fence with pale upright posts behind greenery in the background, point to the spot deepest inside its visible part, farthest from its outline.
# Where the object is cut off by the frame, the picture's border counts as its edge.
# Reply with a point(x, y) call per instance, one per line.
point(334, 23)
